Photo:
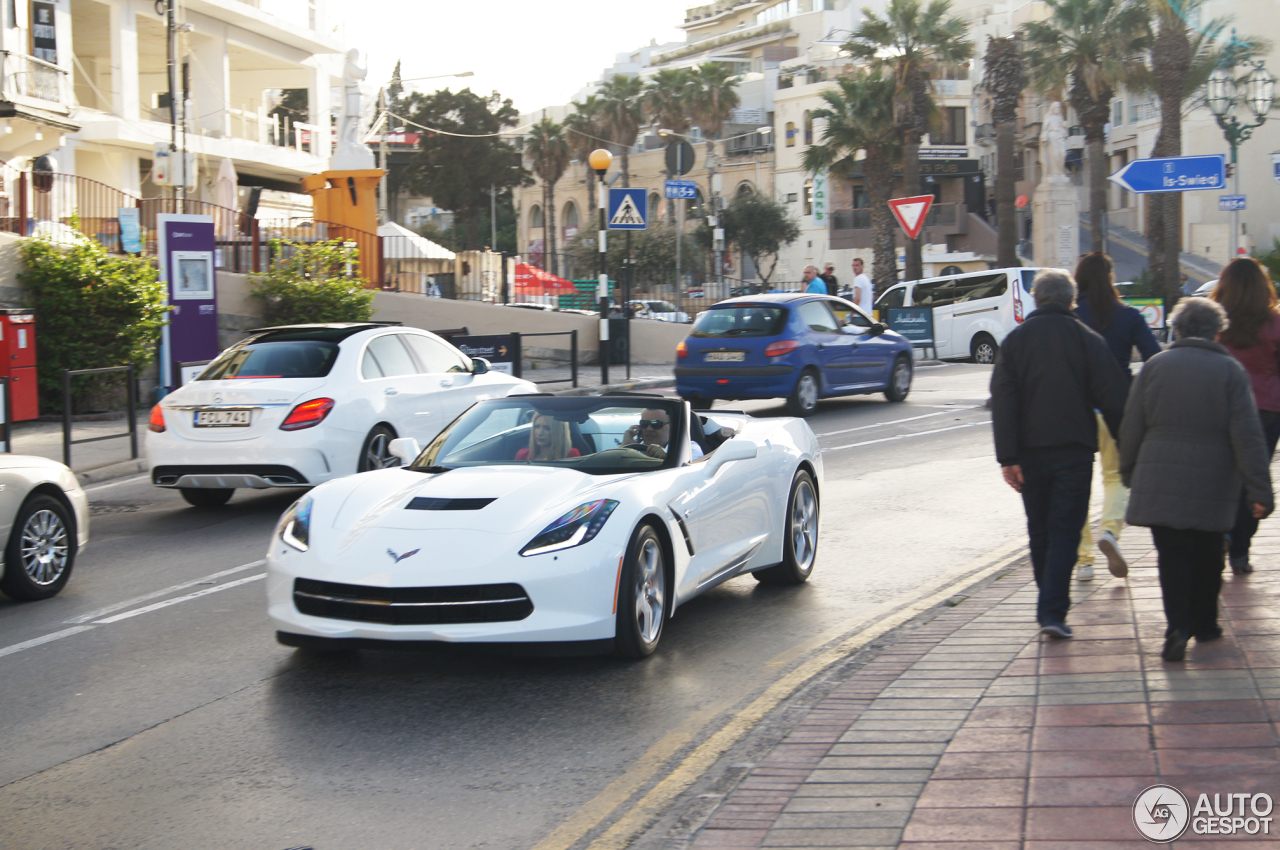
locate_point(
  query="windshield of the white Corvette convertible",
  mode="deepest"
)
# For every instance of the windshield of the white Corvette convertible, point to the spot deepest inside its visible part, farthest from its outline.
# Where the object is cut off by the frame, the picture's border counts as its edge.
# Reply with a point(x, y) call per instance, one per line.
point(596, 436)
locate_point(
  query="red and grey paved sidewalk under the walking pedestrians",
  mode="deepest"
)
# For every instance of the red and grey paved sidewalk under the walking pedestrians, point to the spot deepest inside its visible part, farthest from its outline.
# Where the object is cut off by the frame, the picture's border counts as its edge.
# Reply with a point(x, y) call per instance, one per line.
point(972, 733)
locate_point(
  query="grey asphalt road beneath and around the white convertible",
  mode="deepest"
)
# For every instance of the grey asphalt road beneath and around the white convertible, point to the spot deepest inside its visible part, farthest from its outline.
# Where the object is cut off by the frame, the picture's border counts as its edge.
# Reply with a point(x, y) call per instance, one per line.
point(150, 707)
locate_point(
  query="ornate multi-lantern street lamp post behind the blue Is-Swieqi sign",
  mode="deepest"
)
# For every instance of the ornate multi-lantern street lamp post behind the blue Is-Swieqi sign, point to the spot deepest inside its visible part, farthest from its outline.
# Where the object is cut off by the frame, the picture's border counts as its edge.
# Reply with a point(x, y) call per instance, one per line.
point(1227, 92)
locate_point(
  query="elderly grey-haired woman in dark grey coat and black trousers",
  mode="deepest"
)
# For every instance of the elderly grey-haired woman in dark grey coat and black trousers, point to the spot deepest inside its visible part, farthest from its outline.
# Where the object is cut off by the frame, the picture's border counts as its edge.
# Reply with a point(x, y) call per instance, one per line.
point(1190, 442)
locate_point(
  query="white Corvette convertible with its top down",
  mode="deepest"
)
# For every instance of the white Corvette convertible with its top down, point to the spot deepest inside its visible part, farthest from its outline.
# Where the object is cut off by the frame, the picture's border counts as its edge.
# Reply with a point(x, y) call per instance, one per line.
point(577, 523)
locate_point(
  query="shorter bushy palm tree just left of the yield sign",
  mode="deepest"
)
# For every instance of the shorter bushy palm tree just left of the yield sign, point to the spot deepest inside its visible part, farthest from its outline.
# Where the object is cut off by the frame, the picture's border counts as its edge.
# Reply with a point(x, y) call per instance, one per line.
point(860, 118)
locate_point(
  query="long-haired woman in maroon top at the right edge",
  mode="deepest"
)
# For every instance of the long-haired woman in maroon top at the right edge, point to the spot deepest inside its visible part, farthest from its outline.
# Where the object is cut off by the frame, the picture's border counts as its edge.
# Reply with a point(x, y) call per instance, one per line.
point(1246, 293)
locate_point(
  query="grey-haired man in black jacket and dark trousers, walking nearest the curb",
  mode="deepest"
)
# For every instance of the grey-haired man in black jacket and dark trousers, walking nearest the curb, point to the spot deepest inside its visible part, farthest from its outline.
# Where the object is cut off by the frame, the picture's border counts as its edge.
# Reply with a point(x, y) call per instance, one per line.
point(1053, 373)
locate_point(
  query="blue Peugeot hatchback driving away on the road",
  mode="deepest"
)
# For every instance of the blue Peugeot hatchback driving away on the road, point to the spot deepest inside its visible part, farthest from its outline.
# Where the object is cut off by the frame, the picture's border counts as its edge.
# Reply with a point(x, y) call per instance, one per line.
point(794, 346)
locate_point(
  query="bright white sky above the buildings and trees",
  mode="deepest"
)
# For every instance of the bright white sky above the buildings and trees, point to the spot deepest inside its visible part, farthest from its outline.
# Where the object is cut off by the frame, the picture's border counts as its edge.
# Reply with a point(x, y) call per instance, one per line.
point(540, 54)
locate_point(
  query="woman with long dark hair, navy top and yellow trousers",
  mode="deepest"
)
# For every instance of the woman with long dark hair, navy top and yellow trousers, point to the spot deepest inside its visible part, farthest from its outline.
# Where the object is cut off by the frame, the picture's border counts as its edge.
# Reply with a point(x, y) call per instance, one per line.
point(1124, 330)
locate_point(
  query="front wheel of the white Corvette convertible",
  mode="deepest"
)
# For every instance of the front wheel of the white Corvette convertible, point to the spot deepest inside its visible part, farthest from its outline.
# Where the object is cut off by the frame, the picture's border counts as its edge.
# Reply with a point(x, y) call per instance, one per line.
point(642, 596)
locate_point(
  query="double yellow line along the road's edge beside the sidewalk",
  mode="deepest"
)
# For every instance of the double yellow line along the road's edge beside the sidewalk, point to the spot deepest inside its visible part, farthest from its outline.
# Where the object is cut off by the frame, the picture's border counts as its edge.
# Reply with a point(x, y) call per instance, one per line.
point(698, 762)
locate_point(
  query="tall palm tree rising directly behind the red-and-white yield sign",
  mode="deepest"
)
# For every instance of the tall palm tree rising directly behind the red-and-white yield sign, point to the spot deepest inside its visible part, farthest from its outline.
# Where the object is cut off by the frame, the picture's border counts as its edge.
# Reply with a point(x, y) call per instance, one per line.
point(912, 40)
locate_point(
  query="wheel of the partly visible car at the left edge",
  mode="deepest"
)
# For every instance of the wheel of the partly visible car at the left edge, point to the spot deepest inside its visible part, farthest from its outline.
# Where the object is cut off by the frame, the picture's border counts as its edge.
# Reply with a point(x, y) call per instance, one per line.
point(42, 551)
